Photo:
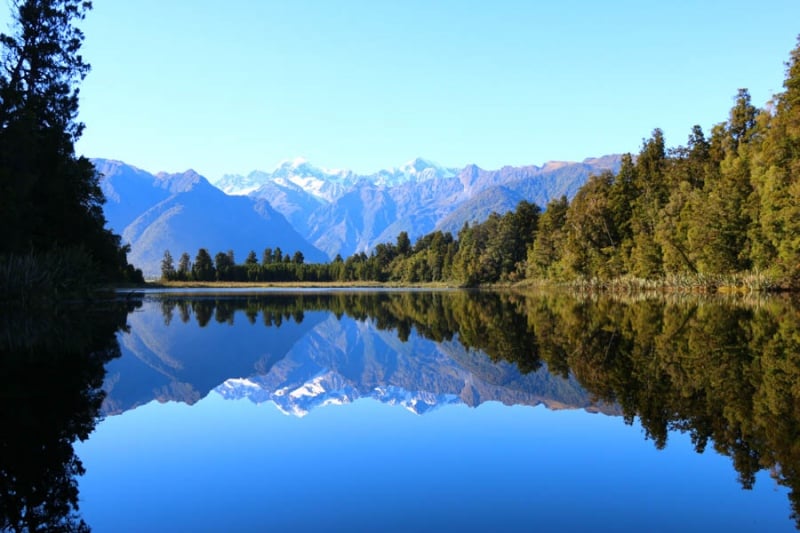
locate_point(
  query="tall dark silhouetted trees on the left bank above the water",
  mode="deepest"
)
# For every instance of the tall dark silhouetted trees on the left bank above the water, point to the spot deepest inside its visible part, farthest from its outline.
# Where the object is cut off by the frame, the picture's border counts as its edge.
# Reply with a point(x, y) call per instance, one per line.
point(49, 196)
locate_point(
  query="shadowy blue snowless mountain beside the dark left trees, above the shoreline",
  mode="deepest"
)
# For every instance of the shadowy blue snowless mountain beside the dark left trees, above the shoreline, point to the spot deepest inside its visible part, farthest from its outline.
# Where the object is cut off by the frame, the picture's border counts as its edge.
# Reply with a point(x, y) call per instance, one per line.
point(184, 212)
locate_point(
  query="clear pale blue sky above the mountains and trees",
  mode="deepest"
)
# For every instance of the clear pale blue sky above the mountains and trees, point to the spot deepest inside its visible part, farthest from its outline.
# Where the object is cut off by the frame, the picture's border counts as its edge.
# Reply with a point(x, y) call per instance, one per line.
point(229, 87)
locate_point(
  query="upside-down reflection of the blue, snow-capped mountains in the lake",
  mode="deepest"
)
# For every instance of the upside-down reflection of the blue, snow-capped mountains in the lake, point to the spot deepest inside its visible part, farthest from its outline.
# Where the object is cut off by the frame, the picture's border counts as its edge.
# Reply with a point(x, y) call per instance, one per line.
point(316, 361)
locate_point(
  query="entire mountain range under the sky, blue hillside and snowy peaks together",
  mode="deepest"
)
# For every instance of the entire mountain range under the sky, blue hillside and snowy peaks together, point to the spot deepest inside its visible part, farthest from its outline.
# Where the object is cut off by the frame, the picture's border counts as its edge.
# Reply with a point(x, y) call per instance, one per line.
point(319, 212)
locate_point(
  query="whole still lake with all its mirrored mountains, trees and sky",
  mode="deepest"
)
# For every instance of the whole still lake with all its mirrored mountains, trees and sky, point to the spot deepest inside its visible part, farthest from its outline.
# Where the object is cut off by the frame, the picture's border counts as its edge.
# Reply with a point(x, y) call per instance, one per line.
point(404, 410)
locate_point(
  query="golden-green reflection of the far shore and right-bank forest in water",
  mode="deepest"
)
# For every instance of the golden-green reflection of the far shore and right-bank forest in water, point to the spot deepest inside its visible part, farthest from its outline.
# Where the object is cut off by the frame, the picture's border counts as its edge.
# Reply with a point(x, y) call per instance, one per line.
point(725, 370)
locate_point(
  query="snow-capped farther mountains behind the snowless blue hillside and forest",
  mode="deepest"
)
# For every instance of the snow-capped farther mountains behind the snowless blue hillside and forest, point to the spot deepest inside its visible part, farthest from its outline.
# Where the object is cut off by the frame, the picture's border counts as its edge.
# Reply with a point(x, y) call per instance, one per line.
point(341, 212)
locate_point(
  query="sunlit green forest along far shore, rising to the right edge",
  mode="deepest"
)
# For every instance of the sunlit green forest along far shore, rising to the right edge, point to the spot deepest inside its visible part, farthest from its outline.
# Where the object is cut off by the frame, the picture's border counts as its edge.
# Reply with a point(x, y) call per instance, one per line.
point(724, 209)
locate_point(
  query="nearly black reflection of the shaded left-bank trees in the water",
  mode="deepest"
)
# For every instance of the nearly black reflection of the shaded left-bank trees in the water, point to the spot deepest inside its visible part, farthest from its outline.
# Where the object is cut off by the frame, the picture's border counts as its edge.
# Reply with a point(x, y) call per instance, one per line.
point(51, 371)
